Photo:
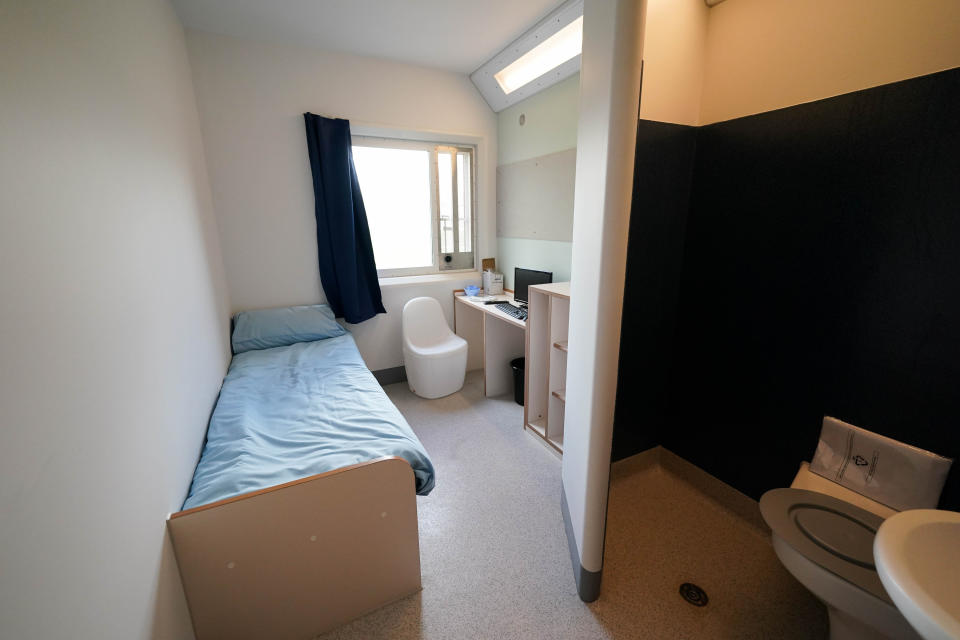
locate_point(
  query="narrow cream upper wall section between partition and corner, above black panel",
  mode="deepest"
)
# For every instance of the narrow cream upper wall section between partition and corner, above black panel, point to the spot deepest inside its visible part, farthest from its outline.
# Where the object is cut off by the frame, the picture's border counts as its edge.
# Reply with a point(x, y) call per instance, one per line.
point(674, 47)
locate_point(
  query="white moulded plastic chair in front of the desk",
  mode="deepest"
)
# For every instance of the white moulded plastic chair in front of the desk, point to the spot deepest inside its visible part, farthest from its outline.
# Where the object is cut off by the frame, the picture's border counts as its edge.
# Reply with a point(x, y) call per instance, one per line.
point(435, 357)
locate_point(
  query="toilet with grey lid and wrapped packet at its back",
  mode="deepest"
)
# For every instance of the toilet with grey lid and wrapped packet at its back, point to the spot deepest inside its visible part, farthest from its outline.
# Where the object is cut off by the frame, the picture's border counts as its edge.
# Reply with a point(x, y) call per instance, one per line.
point(823, 534)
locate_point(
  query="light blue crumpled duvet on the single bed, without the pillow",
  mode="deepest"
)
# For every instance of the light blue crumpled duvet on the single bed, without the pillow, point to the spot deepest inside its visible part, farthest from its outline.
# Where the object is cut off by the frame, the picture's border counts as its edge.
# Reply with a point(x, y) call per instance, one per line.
point(295, 411)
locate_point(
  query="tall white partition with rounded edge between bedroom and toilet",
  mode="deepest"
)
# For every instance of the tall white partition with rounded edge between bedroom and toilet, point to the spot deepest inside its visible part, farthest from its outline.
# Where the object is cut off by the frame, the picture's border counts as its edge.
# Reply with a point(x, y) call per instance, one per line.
point(609, 94)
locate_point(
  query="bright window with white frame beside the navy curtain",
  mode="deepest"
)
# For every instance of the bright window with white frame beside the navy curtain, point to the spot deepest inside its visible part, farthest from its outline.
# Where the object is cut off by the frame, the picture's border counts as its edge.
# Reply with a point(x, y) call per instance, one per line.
point(419, 198)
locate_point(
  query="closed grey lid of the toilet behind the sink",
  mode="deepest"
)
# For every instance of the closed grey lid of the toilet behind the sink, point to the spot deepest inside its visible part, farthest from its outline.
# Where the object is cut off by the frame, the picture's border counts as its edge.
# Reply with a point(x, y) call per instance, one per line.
point(835, 534)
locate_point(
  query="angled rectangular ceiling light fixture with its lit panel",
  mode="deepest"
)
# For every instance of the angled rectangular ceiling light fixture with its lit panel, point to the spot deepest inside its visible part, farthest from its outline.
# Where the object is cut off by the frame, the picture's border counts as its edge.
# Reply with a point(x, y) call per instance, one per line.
point(546, 54)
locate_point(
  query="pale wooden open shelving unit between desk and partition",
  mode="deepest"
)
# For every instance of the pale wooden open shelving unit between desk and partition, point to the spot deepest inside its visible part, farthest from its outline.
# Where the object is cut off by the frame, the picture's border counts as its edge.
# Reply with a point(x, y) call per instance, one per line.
point(545, 393)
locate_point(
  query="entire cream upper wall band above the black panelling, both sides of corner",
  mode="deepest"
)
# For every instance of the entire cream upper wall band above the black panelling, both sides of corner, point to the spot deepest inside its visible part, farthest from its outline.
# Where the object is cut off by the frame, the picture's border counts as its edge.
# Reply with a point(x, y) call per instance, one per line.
point(749, 56)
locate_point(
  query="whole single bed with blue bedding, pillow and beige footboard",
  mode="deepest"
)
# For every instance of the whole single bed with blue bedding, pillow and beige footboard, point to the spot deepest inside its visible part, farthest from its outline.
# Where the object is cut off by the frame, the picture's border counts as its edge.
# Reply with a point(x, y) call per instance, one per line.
point(302, 511)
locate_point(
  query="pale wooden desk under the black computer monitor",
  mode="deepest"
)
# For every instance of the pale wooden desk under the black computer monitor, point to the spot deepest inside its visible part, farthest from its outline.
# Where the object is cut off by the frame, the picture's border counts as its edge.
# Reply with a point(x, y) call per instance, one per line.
point(493, 339)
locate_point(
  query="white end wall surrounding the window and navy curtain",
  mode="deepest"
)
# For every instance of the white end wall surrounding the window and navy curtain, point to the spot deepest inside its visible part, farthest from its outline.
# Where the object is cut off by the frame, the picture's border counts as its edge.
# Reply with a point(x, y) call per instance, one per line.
point(252, 97)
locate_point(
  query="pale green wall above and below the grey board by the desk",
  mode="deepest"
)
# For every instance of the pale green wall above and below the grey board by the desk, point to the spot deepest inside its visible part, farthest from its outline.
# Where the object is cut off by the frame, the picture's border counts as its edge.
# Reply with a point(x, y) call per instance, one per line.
point(550, 125)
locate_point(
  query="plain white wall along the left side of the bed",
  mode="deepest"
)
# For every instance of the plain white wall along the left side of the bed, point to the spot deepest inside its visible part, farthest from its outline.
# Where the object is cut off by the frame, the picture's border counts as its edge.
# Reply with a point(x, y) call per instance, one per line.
point(113, 326)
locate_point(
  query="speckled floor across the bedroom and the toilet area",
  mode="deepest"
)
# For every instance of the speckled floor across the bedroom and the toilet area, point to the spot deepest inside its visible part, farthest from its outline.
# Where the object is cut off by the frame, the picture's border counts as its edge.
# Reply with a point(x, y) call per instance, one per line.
point(494, 554)
